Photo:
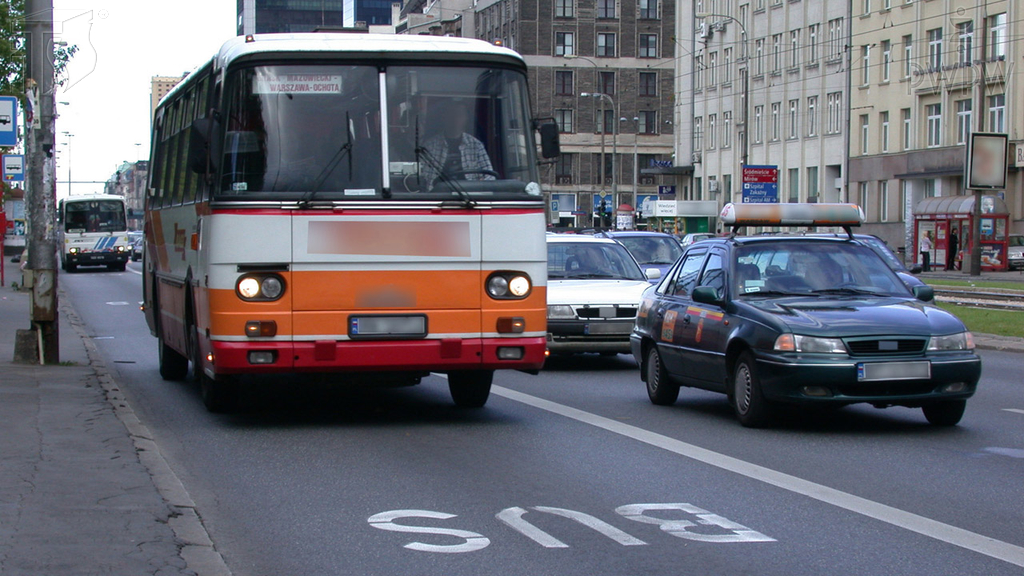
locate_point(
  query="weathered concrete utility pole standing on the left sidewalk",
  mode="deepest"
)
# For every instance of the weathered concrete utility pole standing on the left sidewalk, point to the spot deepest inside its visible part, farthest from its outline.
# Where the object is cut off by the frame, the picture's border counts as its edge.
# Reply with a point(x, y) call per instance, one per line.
point(41, 193)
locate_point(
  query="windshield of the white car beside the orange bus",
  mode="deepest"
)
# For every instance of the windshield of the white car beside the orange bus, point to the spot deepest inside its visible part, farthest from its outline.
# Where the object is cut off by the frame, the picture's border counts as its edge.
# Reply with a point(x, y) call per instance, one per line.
point(591, 261)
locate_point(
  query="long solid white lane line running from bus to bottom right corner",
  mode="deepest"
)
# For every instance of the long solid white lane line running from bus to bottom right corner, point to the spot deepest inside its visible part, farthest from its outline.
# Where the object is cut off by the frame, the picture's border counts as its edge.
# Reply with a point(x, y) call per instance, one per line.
point(889, 515)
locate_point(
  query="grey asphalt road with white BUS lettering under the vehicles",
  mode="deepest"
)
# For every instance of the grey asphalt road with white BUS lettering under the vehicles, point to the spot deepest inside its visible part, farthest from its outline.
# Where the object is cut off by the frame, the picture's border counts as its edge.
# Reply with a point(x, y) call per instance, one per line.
point(573, 472)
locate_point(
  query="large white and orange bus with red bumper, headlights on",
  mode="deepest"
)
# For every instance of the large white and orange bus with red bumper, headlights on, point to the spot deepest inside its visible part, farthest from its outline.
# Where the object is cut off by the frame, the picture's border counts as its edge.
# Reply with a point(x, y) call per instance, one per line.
point(349, 203)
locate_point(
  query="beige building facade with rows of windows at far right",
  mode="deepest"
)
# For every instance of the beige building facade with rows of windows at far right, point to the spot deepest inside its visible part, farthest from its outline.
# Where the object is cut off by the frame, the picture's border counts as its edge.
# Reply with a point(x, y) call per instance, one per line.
point(926, 75)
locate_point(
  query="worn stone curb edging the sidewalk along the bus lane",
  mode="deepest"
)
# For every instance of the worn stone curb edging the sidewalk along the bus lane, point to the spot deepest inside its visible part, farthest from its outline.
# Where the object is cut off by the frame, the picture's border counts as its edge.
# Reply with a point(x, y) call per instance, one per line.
point(195, 546)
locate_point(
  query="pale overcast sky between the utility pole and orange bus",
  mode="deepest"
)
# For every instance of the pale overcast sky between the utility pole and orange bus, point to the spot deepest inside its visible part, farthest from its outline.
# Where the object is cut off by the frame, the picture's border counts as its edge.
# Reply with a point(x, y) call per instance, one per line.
point(122, 45)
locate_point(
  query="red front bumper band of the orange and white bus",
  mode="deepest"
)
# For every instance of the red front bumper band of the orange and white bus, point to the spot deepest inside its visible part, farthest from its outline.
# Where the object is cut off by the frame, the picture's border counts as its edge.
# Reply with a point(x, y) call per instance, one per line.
point(333, 356)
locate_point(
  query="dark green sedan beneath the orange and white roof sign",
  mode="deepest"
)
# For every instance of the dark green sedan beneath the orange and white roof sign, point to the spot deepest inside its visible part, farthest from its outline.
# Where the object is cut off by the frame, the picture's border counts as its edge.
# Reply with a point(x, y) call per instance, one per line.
point(775, 320)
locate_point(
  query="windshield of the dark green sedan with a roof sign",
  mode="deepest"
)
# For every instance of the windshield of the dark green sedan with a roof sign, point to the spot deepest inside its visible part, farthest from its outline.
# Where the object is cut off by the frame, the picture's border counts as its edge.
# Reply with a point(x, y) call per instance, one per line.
point(814, 269)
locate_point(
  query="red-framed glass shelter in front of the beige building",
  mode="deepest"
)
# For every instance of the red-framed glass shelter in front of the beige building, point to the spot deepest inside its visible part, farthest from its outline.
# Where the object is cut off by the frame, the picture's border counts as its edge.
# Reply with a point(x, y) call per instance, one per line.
point(947, 222)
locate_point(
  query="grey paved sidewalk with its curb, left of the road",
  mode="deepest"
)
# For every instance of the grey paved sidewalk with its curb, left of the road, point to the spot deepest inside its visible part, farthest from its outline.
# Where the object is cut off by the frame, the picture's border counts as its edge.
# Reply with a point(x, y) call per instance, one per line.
point(83, 488)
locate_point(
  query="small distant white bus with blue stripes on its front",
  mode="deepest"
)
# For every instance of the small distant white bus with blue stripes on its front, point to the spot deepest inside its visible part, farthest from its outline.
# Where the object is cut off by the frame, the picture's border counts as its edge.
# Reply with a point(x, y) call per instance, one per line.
point(93, 231)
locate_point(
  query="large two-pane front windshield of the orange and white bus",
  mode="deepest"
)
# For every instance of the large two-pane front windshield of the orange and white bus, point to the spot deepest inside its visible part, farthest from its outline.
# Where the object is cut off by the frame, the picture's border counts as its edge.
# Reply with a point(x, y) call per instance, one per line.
point(298, 132)
